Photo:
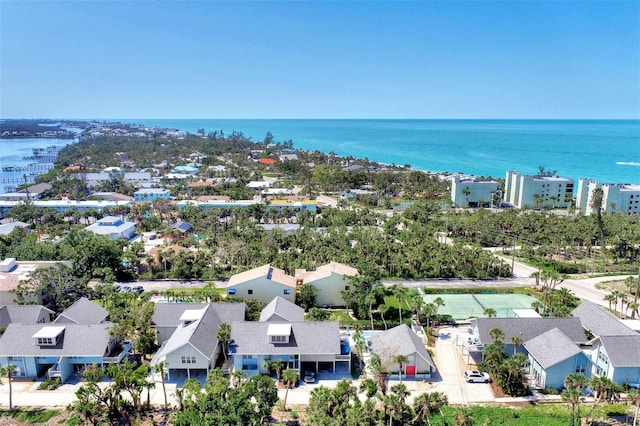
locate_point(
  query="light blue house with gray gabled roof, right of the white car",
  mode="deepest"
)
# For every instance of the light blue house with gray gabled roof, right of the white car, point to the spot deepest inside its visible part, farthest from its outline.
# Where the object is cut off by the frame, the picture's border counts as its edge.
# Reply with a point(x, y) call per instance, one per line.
point(552, 356)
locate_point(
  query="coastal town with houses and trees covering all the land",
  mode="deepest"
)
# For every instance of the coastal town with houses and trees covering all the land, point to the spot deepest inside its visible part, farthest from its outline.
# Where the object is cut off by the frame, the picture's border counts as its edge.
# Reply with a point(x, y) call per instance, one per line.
point(150, 271)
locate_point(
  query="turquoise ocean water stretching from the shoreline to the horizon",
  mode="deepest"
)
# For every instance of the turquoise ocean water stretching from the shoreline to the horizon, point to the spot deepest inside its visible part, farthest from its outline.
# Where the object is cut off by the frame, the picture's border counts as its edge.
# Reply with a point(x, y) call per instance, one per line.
point(605, 150)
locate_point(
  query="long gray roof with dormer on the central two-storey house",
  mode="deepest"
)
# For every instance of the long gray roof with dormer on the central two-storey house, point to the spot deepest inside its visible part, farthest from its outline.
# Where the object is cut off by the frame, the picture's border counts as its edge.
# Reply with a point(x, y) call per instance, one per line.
point(307, 338)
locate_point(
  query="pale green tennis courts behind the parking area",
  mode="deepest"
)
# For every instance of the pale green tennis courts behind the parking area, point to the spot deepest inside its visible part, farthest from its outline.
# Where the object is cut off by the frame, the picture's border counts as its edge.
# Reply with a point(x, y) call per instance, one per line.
point(463, 306)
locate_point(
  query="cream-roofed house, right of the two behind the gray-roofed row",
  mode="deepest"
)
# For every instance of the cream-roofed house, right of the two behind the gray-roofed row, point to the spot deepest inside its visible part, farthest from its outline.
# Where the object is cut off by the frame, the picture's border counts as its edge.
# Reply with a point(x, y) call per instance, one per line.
point(330, 280)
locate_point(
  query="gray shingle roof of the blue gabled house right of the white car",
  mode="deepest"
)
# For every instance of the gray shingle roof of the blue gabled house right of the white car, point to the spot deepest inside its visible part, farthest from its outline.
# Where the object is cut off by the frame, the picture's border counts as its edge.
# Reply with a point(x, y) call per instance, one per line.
point(551, 348)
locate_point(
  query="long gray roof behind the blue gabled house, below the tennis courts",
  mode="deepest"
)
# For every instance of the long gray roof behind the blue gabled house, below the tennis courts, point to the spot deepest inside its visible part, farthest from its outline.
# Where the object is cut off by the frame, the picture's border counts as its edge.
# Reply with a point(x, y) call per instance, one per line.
point(528, 328)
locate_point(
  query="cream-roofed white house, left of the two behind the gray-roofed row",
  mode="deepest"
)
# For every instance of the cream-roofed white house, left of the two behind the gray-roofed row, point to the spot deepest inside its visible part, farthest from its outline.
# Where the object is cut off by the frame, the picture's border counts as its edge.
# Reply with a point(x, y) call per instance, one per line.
point(262, 283)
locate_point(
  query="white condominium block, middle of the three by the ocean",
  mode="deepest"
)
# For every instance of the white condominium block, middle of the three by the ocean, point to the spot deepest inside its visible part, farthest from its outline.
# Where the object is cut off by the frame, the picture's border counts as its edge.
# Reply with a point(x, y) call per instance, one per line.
point(524, 191)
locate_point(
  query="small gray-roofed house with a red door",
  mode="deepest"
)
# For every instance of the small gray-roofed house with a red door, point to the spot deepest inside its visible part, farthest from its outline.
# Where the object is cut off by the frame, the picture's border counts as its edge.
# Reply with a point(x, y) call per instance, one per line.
point(402, 340)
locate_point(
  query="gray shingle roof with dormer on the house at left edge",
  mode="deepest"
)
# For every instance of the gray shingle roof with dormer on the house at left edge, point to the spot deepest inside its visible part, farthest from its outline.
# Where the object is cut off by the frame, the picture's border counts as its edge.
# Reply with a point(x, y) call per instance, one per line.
point(77, 340)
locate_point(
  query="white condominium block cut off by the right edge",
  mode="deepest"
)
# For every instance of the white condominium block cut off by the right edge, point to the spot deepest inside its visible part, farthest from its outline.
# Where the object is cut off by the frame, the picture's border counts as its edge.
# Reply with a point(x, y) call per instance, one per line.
point(616, 197)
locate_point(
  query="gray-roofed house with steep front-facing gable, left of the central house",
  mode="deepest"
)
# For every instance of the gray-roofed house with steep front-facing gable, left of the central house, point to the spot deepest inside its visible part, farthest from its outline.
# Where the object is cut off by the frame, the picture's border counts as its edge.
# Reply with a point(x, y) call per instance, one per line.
point(192, 345)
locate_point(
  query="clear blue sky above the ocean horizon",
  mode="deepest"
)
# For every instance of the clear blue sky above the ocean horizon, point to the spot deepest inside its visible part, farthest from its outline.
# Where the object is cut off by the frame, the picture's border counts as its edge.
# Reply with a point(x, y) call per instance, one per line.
point(159, 59)
